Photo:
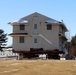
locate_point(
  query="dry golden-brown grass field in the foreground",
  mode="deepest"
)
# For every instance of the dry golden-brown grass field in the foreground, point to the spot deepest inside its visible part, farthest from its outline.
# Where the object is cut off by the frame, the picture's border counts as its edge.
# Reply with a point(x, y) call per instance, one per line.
point(38, 67)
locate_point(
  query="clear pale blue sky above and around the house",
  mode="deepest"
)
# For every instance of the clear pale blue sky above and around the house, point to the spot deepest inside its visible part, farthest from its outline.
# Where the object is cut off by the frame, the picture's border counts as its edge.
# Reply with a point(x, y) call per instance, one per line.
point(11, 10)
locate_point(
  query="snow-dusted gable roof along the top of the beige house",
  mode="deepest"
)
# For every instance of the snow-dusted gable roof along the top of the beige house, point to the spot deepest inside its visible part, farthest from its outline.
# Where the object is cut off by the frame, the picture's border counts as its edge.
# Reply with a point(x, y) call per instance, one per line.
point(49, 20)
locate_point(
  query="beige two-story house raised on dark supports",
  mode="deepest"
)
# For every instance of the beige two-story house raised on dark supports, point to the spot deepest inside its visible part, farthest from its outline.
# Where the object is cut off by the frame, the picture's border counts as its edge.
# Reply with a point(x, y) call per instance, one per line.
point(37, 31)
